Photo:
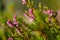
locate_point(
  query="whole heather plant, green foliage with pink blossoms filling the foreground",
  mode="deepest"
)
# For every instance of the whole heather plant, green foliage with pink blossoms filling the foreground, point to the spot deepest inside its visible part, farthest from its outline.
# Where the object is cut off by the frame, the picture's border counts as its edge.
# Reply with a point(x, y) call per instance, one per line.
point(37, 24)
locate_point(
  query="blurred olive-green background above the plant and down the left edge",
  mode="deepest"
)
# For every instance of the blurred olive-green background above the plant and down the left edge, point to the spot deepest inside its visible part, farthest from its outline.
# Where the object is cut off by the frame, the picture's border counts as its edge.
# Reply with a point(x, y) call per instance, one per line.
point(7, 7)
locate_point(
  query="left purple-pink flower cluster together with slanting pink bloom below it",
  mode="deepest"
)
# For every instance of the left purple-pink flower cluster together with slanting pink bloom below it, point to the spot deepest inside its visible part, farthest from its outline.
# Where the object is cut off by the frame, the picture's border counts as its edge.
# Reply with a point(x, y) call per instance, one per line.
point(14, 23)
